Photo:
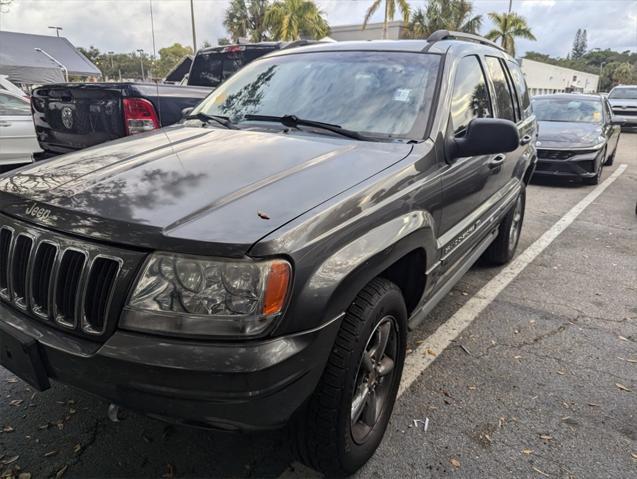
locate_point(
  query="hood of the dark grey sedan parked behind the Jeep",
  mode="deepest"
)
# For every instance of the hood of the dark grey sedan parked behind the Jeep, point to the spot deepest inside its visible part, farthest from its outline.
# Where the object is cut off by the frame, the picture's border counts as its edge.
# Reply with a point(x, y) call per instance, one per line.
point(565, 135)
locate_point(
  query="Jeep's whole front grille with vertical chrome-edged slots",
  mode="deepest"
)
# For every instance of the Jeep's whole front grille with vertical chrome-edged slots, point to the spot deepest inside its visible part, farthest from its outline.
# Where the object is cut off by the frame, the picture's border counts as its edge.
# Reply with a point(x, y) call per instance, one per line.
point(72, 284)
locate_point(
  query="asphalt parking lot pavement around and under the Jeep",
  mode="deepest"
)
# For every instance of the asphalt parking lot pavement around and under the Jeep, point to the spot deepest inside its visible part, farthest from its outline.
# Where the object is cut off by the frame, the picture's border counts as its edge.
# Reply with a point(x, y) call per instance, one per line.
point(541, 383)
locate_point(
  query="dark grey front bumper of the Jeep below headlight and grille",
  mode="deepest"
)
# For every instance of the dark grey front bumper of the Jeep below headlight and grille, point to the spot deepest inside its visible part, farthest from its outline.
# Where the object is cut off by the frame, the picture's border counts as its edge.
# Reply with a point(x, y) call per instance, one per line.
point(251, 385)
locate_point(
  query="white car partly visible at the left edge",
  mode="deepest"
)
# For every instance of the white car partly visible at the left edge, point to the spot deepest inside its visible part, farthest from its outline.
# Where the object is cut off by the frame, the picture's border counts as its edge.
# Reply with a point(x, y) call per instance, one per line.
point(17, 133)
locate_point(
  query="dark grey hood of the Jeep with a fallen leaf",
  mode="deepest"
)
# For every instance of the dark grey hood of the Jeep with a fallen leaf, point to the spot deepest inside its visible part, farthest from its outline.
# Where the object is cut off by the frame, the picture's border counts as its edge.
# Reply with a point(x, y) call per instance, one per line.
point(200, 190)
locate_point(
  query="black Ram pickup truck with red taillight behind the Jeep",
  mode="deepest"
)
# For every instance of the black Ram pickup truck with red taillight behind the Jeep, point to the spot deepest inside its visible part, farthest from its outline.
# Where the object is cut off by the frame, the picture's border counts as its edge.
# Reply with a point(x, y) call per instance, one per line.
point(73, 116)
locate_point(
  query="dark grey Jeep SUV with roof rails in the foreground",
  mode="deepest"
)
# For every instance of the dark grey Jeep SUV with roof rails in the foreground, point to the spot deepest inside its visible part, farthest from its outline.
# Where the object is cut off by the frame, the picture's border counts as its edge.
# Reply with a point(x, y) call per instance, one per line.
point(260, 263)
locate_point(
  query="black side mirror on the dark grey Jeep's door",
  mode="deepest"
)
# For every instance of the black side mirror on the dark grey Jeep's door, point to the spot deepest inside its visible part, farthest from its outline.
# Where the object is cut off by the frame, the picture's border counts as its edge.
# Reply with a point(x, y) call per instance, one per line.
point(486, 136)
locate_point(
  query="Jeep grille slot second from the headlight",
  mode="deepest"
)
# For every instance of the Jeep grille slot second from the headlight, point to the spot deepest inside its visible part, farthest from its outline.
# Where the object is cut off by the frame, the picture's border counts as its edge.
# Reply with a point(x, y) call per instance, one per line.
point(68, 286)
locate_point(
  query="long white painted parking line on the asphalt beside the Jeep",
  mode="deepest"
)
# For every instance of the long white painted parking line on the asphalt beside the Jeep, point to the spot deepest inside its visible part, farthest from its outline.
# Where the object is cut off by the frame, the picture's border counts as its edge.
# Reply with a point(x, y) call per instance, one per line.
point(420, 359)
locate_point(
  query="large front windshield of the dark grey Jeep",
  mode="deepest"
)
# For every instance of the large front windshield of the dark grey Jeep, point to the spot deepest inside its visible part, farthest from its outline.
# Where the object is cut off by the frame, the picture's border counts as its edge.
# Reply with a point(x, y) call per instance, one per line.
point(378, 93)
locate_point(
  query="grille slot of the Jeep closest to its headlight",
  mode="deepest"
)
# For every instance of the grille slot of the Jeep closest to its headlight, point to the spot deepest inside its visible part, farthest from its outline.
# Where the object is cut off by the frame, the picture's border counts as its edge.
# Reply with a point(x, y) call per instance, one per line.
point(97, 298)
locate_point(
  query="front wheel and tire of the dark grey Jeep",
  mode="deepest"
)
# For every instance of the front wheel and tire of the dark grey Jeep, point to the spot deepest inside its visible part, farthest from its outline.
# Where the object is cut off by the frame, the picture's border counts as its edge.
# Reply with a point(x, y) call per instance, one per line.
point(325, 435)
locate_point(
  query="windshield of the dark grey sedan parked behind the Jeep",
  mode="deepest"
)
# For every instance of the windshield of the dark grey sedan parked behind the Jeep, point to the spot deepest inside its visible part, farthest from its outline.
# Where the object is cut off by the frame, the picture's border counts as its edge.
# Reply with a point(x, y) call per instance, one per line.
point(578, 111)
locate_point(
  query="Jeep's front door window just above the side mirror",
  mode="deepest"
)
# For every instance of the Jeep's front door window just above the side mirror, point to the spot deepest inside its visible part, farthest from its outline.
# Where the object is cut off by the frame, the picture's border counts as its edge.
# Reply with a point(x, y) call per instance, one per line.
point(470, 95)
